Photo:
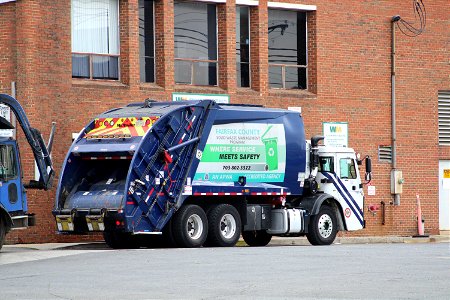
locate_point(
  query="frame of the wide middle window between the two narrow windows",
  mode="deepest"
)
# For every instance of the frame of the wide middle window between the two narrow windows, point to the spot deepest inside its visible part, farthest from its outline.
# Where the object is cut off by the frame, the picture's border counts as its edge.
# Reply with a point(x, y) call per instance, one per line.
point(193, 61)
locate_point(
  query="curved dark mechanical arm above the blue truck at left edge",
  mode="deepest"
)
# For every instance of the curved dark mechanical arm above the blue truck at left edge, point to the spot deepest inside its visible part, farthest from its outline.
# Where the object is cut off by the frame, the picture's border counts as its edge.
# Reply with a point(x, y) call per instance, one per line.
point(41, 152)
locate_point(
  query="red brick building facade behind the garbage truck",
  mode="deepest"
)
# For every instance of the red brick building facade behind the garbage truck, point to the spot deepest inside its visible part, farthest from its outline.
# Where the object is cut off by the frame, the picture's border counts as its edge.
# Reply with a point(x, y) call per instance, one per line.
point(346, 69)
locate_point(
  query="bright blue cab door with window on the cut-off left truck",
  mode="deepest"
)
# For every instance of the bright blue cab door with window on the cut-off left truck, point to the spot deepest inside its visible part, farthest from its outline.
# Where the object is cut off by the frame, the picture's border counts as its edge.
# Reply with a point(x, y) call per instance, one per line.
point(11, 189)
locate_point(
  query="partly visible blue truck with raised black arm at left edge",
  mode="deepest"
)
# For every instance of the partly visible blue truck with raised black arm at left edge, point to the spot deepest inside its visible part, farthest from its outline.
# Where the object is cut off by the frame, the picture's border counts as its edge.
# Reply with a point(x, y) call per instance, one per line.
point(13, 199)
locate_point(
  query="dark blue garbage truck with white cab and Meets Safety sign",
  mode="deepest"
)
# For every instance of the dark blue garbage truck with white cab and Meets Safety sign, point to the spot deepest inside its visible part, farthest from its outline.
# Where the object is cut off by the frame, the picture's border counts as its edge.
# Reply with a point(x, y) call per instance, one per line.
point(202, 173)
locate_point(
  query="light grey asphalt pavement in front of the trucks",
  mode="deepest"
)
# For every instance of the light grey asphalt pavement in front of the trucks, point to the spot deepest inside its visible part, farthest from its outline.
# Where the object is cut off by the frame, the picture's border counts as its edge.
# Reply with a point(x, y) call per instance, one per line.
point(340, 271)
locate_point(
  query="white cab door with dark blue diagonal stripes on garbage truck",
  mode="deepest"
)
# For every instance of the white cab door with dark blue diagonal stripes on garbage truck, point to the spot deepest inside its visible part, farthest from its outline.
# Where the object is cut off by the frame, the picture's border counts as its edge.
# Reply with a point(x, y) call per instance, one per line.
point(349, 177)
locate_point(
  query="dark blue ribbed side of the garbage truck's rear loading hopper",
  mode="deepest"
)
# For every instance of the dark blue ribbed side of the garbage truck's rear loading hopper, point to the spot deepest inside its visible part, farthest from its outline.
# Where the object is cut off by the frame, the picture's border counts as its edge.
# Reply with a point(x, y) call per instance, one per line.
point(160, 168)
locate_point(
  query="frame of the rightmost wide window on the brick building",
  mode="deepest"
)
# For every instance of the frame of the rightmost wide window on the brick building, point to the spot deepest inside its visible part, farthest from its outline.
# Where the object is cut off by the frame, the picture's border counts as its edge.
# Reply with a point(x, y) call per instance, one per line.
point(284, 66)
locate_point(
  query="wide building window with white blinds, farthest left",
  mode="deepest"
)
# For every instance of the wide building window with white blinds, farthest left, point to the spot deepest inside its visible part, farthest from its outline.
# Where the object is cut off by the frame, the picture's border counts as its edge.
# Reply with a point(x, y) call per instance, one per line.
point(95, 39)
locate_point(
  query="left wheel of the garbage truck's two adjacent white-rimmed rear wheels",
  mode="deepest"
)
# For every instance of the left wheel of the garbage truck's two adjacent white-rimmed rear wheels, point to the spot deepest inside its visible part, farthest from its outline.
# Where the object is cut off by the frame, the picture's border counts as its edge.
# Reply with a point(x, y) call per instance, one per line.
point(190, 226)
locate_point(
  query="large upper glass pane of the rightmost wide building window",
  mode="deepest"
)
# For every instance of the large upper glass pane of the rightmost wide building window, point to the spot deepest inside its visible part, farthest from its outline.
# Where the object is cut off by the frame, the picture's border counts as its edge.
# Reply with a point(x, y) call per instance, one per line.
point(284, 36)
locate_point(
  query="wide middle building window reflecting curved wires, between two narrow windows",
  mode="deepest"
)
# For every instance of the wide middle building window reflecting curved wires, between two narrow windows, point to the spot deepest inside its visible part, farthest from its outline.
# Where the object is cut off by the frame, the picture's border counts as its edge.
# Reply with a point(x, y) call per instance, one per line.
point(195, 43)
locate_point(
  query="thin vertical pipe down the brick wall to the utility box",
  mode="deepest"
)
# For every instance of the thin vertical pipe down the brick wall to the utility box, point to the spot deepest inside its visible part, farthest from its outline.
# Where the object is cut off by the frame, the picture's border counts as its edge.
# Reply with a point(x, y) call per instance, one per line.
point(394, 20)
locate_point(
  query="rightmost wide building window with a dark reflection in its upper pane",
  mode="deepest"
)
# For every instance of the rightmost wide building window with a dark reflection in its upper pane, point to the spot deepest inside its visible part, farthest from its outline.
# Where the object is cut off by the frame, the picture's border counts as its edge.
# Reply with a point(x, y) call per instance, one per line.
point(287, 49)
